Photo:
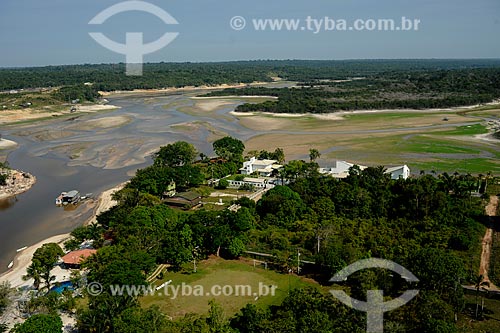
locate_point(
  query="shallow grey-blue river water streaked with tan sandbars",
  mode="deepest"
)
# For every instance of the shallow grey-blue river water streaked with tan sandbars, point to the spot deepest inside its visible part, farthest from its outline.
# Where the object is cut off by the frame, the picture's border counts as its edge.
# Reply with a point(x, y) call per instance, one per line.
point(66, 154)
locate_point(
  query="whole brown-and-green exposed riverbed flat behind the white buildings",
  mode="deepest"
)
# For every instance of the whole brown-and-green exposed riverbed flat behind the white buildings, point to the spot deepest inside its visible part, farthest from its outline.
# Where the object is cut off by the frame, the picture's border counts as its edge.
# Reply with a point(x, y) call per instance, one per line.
point(421, 140)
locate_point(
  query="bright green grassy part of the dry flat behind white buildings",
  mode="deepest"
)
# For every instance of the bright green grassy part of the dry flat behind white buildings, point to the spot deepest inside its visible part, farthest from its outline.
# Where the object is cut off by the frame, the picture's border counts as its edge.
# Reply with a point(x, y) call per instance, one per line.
point(437, 150)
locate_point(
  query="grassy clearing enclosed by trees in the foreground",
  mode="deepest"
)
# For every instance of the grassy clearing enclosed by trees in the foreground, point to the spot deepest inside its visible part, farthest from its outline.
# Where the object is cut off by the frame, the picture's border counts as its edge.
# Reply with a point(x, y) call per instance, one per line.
point(220, 272)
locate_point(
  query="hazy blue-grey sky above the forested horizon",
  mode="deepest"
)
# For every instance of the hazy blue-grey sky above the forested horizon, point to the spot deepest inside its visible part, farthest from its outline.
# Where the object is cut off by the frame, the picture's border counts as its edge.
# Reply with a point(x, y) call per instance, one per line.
point(56, 32)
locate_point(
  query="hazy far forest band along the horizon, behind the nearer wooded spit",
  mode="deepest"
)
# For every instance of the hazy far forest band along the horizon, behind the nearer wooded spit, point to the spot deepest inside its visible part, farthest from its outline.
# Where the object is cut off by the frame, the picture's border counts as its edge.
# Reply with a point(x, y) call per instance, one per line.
point(108, 77)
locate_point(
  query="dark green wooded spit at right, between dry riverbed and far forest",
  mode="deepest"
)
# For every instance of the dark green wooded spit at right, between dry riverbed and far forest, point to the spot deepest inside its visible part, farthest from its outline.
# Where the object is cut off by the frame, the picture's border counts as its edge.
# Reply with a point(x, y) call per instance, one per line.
point(392, 90)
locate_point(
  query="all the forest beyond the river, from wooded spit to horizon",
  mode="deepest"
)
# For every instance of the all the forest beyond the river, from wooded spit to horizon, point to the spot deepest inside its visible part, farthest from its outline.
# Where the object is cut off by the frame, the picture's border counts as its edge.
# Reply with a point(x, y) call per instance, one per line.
point(327, 86)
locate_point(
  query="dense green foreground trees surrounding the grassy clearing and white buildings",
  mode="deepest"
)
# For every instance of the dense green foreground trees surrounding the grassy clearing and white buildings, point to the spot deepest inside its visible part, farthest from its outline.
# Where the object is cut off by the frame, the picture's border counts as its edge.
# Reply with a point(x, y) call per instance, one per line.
point(429, 224)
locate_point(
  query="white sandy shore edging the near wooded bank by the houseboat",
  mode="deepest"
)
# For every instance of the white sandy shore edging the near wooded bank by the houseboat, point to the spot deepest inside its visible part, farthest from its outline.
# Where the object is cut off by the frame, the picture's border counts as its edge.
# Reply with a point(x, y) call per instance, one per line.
point(23, 258)
